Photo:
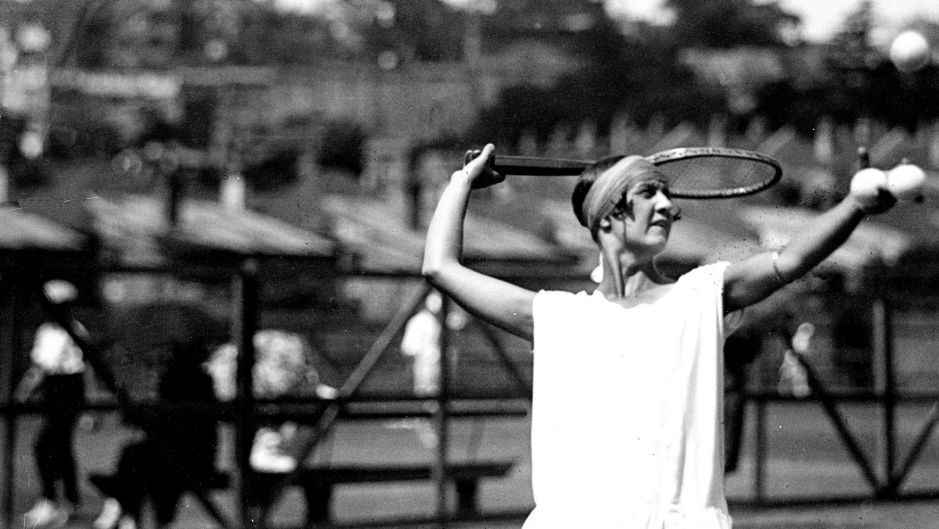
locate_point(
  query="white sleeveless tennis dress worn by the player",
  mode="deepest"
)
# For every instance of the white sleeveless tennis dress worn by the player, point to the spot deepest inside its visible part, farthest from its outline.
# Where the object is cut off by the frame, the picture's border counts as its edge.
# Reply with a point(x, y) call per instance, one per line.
point(627, 407)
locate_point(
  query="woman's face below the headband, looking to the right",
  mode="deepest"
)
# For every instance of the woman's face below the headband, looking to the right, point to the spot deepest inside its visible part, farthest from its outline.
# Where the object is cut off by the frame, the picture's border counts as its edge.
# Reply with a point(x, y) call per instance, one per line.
point(647, 212)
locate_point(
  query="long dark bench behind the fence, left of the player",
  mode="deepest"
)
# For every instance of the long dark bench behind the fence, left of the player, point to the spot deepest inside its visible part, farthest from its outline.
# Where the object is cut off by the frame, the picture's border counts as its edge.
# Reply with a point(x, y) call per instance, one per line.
point(318, 482)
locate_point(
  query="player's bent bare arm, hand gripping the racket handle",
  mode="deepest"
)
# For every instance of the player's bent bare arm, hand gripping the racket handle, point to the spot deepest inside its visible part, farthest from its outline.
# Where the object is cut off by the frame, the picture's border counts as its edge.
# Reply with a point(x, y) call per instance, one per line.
point(498, 302)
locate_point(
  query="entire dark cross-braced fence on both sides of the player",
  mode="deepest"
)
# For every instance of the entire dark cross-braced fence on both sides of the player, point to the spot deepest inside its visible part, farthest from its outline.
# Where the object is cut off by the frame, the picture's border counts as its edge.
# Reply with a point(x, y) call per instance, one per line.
point(884, 477)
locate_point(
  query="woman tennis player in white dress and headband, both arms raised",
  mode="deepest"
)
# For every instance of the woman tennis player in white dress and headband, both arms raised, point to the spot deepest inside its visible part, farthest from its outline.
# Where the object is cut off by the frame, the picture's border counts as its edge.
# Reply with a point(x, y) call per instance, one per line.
point(638, 441)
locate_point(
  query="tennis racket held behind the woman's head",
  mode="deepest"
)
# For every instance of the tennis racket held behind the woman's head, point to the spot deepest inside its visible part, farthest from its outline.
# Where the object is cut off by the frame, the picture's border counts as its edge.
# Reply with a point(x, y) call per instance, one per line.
point(693, 172)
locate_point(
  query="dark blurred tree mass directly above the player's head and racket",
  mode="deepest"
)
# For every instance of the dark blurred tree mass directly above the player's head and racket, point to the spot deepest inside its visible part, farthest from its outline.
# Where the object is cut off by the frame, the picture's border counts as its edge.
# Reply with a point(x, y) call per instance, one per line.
point(637, 75)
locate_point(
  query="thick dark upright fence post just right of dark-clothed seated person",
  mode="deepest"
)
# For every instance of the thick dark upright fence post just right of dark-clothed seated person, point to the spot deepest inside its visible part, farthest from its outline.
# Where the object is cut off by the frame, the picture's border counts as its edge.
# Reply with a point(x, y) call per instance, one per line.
point(245, 321)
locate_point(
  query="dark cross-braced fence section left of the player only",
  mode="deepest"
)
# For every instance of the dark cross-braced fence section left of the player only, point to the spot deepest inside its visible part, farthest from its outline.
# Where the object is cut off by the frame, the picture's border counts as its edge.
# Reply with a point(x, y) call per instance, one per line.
point(316, 414)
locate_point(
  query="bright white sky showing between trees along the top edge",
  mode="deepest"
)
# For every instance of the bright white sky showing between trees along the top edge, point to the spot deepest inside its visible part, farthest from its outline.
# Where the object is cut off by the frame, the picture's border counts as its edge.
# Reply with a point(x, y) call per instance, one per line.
point(820, 18)
